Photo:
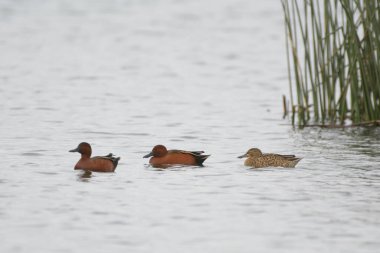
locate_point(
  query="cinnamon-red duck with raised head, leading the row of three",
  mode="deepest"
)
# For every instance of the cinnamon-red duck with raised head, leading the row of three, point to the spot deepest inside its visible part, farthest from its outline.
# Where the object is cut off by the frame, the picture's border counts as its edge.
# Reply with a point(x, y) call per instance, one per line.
point(106, 163)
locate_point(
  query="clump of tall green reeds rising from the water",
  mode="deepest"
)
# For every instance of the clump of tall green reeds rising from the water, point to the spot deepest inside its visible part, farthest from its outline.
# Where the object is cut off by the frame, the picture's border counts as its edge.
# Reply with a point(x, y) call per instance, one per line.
point(333, 61)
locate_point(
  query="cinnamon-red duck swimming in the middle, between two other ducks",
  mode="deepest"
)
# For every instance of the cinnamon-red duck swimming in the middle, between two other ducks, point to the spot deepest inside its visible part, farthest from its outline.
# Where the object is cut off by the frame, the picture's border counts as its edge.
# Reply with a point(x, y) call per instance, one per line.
point(161, 157)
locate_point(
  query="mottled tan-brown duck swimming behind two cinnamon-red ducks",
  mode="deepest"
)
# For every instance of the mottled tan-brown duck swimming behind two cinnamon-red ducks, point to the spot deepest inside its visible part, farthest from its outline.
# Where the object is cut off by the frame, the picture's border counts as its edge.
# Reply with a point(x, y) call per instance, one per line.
point(256, 159)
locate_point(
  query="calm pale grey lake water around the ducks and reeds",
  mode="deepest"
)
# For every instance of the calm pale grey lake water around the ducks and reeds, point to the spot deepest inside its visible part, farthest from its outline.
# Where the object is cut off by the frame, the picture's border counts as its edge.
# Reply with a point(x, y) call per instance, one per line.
point(201, 74)
